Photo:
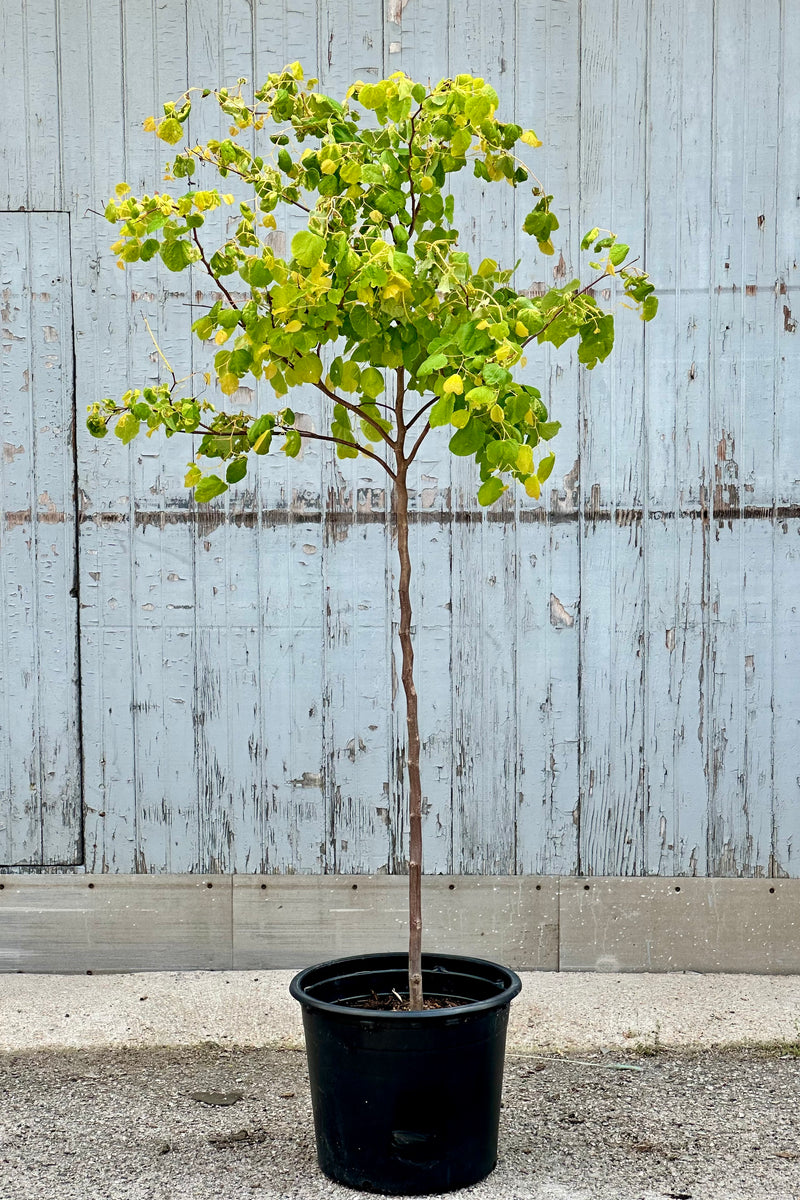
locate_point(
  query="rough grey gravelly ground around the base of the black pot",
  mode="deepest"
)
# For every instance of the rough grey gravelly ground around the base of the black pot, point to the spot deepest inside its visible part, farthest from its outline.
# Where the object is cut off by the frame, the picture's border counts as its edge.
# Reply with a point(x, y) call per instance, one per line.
point(125, 1125)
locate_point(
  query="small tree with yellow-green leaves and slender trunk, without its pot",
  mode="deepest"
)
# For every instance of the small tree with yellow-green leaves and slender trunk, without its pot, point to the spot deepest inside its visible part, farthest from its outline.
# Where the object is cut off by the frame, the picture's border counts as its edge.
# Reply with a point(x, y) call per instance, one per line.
point(376, 287)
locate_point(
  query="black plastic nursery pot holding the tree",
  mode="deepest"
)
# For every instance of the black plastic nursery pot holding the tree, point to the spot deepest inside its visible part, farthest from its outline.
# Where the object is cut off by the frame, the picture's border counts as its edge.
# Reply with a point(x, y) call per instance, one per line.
point(406, 1103)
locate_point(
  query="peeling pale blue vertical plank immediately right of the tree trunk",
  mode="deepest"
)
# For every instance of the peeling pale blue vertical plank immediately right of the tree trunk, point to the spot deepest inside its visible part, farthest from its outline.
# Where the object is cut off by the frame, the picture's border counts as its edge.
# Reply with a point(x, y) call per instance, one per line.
point(485, 557)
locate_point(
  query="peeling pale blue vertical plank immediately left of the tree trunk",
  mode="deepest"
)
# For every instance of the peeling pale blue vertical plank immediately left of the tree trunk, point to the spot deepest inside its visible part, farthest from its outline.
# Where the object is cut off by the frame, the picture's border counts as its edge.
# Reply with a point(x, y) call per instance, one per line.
point(357, 647)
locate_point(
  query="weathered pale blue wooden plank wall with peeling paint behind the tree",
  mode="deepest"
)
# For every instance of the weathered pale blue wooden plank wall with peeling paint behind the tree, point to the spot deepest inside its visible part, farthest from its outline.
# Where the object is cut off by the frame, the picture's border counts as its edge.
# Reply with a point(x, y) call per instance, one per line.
point(609, 680)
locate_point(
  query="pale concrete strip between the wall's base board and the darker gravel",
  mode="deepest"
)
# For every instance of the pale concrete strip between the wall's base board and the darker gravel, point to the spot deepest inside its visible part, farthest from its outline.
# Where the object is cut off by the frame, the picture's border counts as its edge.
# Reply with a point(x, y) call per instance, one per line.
point(556, 1012)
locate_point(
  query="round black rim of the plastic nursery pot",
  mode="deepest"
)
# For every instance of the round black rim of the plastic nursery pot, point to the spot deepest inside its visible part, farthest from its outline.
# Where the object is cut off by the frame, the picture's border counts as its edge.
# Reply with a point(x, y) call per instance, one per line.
point(504, 997)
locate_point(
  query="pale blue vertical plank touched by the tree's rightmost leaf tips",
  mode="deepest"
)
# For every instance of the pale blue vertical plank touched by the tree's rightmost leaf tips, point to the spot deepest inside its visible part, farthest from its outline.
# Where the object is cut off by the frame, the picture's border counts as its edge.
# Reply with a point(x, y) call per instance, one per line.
point(681, 74)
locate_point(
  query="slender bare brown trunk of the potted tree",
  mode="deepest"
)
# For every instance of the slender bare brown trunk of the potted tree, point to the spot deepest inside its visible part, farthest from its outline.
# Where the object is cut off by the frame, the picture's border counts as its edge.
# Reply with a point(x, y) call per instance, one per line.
point(416, 787)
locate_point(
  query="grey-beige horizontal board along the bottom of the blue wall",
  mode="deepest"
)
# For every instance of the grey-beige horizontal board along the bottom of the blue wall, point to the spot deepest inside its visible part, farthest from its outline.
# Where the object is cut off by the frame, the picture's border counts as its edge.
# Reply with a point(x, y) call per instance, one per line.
point(101, 923)
